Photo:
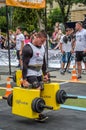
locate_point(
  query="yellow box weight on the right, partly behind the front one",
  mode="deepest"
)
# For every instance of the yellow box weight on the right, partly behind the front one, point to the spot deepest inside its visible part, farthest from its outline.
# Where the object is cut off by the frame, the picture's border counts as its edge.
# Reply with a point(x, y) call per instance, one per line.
point(49, 95)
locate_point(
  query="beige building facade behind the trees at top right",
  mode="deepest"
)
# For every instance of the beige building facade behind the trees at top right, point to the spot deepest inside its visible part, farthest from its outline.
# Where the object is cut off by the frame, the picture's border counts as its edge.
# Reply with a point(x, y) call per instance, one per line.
point(77, 12)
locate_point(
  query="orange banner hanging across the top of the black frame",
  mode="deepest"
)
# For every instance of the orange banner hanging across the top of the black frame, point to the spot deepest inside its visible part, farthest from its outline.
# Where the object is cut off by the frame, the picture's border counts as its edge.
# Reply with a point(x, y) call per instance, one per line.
point(37, 4)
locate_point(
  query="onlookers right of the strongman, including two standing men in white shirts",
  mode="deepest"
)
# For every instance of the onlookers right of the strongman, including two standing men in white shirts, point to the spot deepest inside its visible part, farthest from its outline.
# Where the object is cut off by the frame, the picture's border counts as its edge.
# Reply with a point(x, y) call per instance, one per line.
point(73, 41)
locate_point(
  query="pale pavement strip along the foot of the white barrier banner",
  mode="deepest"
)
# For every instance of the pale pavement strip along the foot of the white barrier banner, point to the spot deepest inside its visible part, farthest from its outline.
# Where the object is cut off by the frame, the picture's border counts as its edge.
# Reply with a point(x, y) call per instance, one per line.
point(55, 74)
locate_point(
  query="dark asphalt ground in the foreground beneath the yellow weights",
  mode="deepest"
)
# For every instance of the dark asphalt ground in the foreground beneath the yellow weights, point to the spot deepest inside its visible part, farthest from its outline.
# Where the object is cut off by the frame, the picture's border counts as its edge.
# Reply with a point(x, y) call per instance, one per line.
point(63, 119)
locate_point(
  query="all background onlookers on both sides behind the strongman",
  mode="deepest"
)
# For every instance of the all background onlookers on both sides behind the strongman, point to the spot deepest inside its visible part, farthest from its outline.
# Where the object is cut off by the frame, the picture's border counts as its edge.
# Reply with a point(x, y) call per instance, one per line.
point(72, 41)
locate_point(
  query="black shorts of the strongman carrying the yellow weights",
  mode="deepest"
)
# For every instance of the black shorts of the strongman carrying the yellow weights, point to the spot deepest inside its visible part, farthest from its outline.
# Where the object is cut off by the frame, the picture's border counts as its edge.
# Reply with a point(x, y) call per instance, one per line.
point(34, 79)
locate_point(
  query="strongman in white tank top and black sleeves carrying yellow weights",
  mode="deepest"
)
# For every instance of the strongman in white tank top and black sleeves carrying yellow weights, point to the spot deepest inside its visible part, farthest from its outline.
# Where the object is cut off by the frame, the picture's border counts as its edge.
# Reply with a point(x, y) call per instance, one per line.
point(34, 62)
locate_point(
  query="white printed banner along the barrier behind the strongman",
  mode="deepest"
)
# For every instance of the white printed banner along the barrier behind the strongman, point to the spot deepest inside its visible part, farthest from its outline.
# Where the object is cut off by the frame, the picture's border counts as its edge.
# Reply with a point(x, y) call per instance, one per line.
point(54, 58)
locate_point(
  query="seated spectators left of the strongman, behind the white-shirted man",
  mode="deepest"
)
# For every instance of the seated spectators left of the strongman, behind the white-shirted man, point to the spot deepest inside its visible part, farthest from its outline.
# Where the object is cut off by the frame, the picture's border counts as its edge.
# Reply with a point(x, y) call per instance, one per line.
point(12, 38)
